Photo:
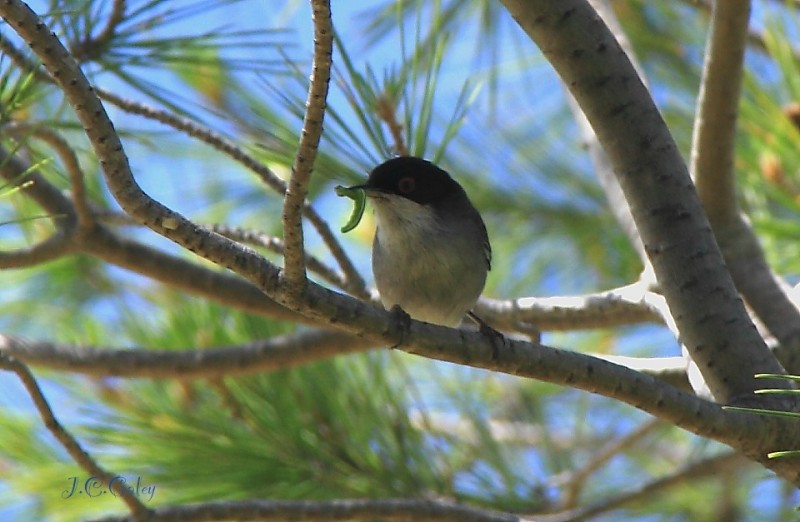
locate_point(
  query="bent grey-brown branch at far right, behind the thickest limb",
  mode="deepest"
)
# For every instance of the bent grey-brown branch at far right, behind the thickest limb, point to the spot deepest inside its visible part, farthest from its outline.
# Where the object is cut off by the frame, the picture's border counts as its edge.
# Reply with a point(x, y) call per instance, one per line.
point(712, 167)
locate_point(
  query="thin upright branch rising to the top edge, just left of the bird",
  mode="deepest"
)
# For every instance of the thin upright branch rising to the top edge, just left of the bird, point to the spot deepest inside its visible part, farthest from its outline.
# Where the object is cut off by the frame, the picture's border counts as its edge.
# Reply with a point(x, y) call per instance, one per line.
point(294, 266)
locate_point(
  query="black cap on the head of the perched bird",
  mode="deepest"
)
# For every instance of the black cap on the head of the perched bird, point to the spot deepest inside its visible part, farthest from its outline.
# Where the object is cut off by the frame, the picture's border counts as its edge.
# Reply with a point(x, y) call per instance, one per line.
point(413, 178)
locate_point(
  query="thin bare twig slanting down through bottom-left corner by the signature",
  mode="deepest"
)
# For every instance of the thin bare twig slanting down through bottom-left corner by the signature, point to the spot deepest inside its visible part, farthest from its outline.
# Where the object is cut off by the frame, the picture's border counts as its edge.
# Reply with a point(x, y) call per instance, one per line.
point(73, 447)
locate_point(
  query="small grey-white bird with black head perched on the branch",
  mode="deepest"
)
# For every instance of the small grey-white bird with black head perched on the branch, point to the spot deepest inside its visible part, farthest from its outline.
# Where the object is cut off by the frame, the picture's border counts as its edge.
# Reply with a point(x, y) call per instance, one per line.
point(431, 252)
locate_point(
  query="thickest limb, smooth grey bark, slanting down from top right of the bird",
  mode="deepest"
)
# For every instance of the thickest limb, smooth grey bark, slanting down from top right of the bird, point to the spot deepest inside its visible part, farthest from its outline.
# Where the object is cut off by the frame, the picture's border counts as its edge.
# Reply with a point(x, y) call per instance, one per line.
point(711, 318)
